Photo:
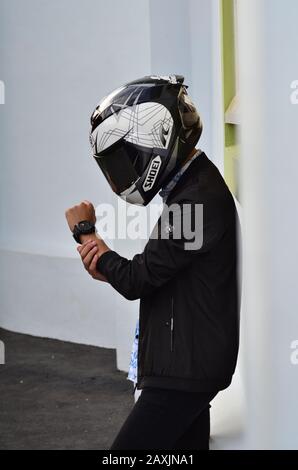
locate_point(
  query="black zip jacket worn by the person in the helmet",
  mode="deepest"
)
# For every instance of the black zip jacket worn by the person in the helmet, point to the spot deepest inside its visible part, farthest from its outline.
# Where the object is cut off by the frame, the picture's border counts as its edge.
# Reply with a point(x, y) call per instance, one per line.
point(189, 308)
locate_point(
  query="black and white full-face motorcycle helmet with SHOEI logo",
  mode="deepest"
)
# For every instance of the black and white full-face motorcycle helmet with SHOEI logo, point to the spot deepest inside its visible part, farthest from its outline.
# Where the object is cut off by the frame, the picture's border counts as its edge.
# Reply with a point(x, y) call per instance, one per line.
point(141, 133)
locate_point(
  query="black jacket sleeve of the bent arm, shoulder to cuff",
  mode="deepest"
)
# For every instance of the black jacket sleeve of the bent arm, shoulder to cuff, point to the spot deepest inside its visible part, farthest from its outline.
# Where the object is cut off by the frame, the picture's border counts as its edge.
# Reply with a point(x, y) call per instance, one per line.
point(164, 255)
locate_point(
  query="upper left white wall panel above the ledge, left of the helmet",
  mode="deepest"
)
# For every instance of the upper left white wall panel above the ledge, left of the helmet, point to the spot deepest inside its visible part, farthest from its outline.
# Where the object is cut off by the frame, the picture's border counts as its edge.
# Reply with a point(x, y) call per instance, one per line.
point(58, 58)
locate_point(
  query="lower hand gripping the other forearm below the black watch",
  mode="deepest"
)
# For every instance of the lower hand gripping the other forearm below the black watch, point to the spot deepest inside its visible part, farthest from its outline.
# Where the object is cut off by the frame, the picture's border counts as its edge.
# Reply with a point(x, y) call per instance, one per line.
point(90, 251)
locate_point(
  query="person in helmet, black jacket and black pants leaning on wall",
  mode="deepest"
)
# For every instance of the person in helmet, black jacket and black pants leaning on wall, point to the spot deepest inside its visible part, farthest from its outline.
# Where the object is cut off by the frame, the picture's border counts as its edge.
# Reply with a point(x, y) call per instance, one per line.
point(143, 137)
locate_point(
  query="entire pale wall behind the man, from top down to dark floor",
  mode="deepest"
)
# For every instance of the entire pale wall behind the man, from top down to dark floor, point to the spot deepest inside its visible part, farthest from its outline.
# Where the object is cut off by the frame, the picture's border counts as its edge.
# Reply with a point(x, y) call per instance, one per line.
point(57, 60)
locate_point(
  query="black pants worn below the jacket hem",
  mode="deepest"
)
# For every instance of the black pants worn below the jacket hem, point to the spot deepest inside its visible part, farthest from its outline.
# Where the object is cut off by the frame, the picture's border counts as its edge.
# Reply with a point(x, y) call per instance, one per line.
point(167, 419)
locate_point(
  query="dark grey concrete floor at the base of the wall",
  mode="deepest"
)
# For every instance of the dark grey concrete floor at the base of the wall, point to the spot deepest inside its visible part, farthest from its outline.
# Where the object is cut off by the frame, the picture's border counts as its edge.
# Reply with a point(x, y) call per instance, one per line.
point(57, 395)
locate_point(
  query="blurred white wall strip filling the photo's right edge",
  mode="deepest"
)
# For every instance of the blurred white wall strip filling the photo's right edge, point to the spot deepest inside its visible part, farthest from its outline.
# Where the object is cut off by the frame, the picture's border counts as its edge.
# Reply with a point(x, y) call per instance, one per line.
point(270, 230)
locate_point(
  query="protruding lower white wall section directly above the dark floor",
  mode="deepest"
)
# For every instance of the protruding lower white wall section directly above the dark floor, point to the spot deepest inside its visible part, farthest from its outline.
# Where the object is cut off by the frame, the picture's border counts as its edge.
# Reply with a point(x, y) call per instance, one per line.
point(51, 296)
